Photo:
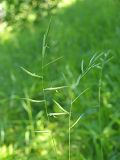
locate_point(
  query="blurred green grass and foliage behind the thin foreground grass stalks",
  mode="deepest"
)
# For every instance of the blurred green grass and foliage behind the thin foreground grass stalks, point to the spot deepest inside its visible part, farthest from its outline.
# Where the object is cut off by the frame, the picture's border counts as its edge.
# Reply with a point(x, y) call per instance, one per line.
point(78, 30)
